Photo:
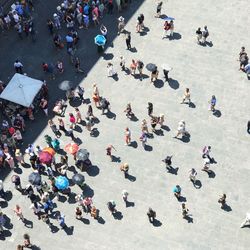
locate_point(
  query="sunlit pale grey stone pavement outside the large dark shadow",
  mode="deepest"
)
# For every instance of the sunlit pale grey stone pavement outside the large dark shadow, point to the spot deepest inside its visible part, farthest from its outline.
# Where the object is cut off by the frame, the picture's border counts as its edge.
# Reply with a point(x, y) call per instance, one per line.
point(206, 71)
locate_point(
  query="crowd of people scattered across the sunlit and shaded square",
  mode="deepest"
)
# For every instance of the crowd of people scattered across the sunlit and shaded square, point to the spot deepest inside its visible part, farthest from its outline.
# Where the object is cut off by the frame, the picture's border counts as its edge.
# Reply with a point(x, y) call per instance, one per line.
point(44, 193)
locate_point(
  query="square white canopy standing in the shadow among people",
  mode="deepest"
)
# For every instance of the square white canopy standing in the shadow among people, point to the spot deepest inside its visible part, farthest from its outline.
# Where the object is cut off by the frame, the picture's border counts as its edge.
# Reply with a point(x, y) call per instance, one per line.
point(21, 90)
